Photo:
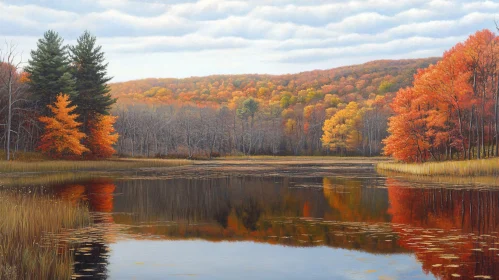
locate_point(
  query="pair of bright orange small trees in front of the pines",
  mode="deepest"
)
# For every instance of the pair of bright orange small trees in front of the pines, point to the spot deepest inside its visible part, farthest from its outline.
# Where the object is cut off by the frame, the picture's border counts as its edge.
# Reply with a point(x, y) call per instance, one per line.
point(62, 137)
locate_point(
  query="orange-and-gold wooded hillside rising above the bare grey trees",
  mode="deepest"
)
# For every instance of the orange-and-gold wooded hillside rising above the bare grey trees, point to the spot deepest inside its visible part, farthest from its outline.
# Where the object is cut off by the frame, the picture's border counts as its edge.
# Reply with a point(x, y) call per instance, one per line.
point(341, 85)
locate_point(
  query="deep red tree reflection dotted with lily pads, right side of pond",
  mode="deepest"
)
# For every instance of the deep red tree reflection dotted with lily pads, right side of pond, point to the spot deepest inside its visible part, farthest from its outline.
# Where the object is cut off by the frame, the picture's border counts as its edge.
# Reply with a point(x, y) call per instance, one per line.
point(456, 230)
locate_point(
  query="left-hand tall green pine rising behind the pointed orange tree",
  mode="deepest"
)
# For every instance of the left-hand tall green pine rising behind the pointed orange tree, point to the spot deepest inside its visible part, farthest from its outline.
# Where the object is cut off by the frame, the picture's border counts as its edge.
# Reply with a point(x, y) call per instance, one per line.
point(48, 70)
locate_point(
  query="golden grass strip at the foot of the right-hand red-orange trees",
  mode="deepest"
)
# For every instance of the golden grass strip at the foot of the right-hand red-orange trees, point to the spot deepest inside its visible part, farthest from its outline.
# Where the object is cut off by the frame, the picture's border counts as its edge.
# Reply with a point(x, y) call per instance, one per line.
point(484, 167)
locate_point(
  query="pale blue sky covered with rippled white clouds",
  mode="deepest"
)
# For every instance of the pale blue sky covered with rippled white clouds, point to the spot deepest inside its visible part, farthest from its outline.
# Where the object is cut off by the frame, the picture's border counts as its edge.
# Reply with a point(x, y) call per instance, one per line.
point(175, 38)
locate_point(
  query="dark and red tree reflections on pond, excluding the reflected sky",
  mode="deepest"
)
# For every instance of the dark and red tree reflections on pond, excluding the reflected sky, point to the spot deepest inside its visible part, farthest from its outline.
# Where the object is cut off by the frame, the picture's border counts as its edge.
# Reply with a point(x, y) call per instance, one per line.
point(452, 232)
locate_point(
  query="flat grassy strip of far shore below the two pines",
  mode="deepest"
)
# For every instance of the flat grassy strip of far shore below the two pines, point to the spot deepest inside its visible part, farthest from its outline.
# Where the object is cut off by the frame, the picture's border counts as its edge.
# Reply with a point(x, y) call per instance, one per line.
point(104, 165)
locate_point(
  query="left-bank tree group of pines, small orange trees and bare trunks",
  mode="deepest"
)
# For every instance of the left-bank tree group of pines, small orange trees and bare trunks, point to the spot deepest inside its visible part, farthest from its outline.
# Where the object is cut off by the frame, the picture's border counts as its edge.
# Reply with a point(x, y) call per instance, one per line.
point(59, 103)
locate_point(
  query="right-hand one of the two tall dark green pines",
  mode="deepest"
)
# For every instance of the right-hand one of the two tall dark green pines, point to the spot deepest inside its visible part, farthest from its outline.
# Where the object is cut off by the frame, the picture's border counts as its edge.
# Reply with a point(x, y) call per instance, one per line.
point(89, 70)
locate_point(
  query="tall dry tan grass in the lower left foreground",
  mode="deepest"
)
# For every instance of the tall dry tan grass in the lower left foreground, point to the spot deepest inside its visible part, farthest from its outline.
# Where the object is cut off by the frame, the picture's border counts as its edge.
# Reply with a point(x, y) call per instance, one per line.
point(24, 222)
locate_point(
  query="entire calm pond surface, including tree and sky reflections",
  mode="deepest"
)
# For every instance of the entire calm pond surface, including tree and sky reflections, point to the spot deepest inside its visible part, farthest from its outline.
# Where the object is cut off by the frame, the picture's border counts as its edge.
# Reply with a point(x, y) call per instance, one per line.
point(344, 225)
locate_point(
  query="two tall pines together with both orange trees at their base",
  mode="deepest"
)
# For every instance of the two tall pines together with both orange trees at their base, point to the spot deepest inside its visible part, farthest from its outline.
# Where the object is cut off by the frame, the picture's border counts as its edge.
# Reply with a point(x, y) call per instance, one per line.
point(70, 87)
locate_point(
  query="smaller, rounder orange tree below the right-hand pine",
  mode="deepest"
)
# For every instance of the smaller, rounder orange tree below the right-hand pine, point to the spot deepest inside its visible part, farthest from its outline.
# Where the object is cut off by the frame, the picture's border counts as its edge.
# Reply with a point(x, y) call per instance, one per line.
point(102, 136)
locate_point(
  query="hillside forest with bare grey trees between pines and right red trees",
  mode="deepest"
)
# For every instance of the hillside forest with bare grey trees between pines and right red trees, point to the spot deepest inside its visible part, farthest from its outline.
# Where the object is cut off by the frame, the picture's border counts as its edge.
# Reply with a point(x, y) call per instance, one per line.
point(262, 114)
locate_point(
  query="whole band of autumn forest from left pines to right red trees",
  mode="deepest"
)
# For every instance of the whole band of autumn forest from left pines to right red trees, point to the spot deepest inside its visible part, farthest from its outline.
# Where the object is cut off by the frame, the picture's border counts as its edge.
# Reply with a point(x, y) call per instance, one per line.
point(414, 110)
